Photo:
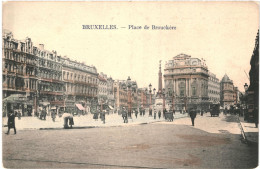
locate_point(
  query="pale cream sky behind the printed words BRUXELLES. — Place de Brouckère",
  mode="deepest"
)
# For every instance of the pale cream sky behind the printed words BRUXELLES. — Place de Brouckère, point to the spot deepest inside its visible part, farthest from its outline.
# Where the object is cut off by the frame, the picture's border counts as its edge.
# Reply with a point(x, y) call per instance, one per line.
point(223, 33)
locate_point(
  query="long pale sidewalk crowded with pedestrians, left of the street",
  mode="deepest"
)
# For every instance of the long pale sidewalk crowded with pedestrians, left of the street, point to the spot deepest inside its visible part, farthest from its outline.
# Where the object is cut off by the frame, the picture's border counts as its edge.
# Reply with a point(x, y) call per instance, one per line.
point(87, 121)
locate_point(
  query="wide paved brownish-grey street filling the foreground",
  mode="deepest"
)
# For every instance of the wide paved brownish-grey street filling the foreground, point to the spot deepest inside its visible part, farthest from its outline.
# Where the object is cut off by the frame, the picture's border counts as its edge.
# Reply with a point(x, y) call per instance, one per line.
point(214, 142)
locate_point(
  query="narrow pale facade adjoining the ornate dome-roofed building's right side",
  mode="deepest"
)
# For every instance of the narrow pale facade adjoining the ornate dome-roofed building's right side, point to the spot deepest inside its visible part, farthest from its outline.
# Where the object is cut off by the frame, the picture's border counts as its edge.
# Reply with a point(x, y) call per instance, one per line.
point(213, 89)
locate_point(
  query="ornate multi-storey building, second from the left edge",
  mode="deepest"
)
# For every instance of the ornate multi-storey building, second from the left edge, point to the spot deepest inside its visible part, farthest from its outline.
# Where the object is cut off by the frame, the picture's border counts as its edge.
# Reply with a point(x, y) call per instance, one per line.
point(50, 84)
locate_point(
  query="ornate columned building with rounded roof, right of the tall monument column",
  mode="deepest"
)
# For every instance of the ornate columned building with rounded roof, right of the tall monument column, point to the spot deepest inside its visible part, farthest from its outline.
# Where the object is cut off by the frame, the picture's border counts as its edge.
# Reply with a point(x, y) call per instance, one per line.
point(186, 83)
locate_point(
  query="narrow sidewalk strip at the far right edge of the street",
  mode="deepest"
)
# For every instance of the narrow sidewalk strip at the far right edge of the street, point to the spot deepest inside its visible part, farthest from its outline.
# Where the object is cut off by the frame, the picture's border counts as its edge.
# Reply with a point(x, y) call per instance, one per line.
point(249, 131)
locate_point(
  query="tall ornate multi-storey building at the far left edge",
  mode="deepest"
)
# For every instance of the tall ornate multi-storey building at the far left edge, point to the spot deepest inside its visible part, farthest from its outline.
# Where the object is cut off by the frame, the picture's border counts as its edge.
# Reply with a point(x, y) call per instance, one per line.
point(19, 63)
